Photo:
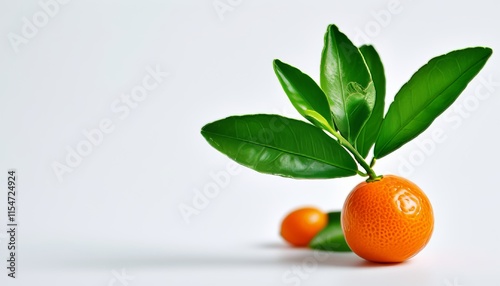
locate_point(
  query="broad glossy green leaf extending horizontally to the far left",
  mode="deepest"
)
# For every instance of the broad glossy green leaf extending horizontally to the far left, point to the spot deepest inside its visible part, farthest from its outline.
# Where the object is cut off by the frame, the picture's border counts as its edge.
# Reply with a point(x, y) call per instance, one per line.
point(276, 145)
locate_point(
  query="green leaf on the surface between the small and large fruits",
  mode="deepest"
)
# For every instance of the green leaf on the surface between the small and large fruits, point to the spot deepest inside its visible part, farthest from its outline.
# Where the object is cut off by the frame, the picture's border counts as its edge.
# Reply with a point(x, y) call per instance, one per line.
point(331, 238)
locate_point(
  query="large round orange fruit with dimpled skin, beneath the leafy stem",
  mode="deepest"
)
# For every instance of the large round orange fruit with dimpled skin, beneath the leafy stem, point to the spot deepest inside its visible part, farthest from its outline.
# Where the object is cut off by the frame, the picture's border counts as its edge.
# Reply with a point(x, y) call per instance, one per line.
point(387, 221)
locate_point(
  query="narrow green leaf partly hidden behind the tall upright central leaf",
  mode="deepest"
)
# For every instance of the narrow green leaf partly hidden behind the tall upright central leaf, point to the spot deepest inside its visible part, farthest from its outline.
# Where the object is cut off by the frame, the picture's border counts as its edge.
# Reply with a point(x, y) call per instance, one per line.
point(369, 132)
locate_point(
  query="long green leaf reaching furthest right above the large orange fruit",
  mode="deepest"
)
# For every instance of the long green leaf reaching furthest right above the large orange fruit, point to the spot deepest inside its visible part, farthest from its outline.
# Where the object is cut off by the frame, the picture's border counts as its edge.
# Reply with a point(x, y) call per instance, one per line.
point(429, 92)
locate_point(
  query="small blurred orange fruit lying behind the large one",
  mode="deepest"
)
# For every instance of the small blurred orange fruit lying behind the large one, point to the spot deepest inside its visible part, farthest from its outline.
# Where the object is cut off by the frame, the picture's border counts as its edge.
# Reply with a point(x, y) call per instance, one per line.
point(301, 226)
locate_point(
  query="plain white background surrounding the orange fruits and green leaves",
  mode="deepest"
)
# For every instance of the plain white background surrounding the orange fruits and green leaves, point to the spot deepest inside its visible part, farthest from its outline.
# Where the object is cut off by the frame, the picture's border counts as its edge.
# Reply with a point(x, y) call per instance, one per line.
point(119, 208)
